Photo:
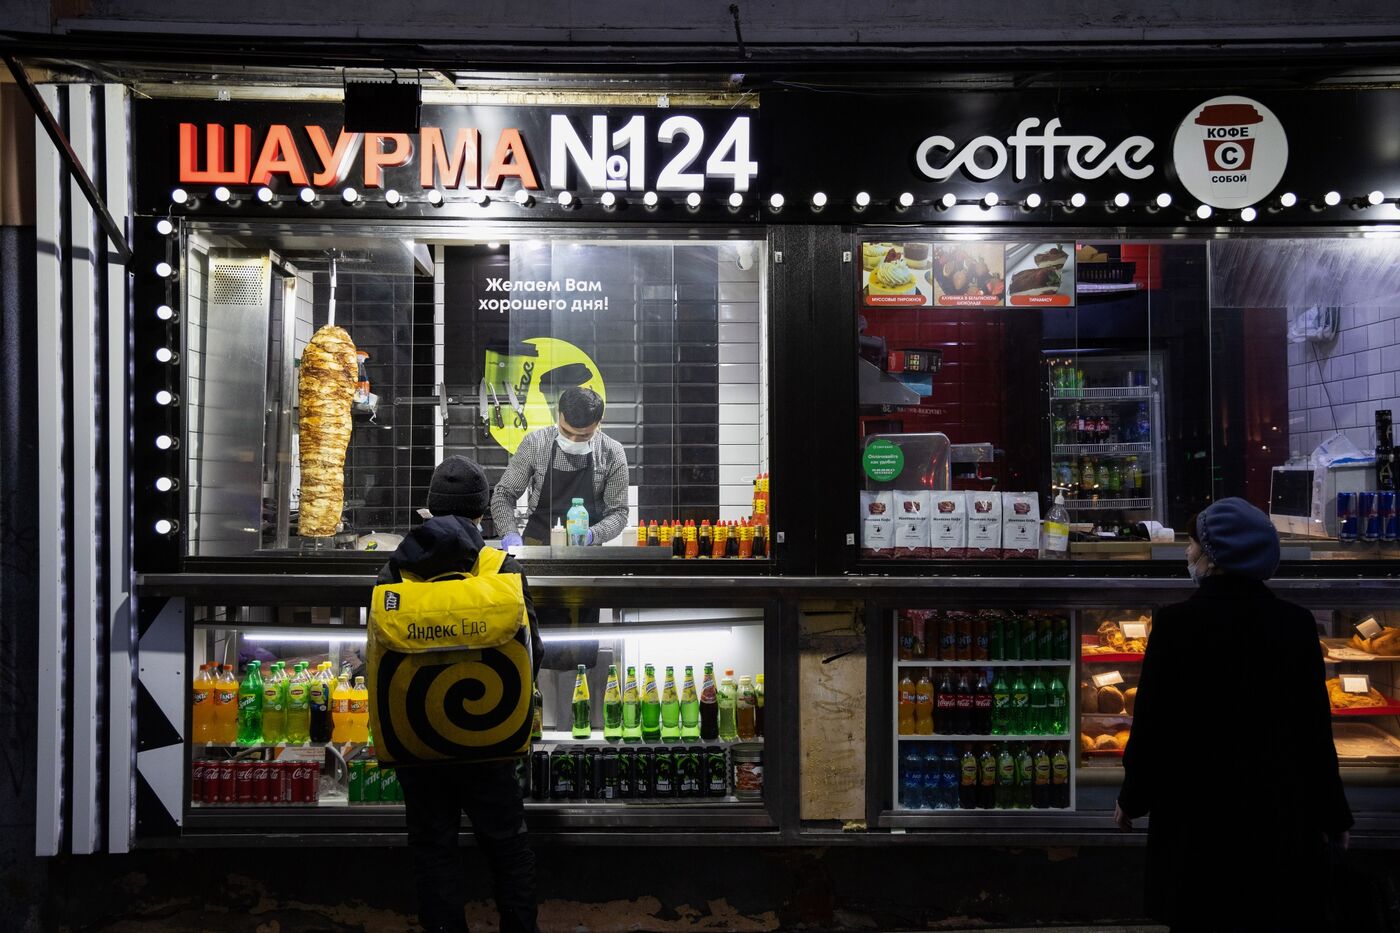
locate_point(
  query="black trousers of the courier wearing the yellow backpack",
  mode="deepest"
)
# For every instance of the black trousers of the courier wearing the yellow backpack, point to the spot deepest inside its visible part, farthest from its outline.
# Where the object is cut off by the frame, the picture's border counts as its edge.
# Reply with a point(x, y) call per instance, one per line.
point(435, 799)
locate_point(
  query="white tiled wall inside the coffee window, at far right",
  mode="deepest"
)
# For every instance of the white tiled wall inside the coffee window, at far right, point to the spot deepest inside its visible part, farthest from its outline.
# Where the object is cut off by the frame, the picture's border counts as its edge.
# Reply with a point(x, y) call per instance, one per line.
point(1339, 386)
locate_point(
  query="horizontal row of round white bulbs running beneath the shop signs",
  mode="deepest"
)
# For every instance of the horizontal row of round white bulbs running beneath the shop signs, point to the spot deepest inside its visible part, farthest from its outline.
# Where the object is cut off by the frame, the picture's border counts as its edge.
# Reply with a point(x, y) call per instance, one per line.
point(776, 202)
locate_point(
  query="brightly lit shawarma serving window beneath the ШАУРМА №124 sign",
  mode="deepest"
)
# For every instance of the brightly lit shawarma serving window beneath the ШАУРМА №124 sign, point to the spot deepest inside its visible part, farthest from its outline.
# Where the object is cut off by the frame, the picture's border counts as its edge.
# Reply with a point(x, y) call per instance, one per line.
point(465, 345)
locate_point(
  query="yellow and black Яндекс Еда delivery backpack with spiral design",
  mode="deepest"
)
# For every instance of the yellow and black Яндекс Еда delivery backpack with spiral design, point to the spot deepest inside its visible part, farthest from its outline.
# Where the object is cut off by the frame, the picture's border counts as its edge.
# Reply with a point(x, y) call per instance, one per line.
point(450, 668)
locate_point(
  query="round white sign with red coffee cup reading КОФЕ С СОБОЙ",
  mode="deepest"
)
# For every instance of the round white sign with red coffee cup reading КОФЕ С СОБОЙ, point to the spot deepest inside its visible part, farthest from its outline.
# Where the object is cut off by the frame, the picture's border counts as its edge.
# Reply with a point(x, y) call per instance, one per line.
point(1231, 152)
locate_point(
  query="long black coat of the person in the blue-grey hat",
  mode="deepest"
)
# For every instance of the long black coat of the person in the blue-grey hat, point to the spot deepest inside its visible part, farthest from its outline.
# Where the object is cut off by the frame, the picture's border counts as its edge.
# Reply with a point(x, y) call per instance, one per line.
point(1233, 757)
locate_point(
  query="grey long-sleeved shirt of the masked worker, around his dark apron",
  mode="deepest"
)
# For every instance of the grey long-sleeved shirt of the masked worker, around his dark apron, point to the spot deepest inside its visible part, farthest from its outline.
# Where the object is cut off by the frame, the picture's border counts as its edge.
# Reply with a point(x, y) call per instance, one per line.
point(530, 467)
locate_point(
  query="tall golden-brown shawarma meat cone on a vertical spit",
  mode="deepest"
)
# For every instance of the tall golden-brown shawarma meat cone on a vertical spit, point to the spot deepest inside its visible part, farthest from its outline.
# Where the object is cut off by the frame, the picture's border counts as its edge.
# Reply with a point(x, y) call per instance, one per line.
point(325, 392)
